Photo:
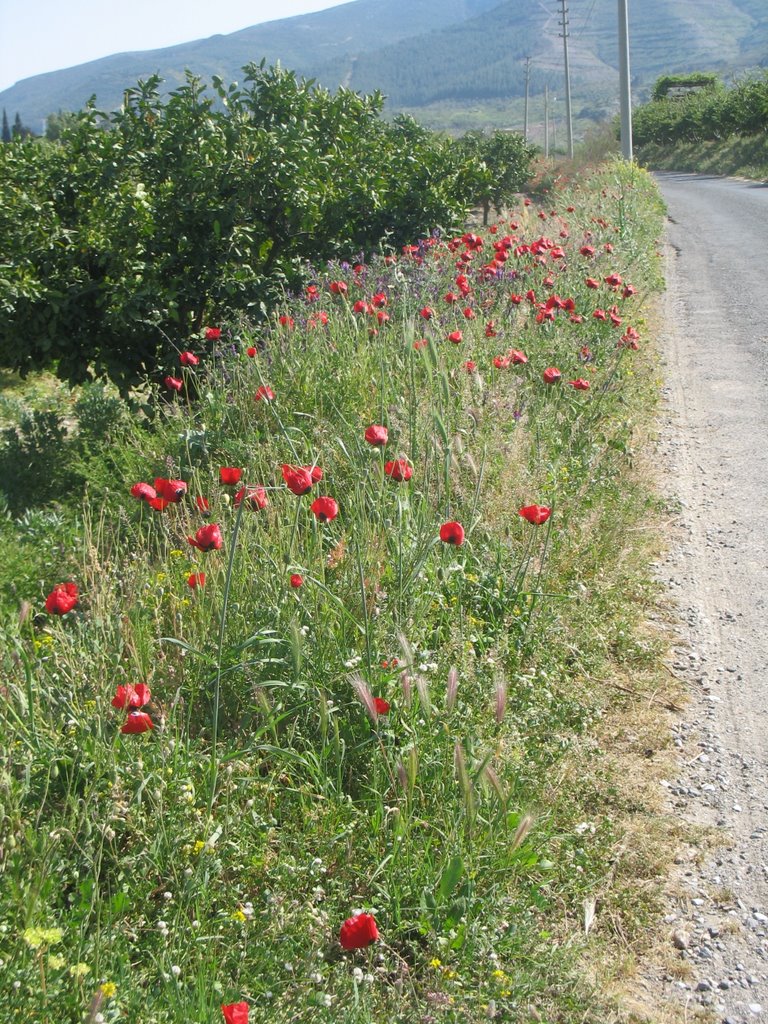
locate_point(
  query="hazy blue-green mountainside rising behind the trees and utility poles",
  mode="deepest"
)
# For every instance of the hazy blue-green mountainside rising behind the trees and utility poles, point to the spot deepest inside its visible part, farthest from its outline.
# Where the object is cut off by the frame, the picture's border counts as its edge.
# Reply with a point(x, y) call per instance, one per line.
point(455, 52)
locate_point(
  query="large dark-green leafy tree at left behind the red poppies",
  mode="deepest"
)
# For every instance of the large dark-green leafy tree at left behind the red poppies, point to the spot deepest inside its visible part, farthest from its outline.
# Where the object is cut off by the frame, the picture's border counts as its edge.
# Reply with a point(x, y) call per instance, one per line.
point(139, 229)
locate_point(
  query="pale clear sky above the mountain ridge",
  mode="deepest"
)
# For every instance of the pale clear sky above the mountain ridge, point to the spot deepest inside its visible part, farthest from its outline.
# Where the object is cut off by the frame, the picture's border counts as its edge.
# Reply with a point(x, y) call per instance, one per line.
point(38, 36)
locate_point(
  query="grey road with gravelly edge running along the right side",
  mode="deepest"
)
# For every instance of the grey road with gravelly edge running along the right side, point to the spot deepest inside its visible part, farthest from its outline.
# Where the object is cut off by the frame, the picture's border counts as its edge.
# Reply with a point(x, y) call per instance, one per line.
point(715, 444)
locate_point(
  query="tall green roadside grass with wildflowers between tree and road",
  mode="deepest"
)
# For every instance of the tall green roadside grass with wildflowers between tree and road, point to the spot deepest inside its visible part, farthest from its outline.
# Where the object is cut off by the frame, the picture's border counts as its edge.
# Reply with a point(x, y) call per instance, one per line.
point(215, 859)
